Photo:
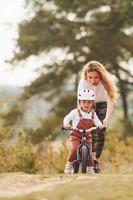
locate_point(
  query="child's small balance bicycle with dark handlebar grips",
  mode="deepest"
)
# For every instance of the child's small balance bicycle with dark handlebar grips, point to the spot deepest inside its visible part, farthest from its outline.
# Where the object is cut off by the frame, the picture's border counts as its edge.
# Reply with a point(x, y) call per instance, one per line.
point(83, 151)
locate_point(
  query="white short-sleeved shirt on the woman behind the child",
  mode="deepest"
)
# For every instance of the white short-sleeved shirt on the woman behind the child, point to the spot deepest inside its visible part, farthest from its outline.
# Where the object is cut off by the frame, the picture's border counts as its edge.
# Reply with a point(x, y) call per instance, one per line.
point(99, 90)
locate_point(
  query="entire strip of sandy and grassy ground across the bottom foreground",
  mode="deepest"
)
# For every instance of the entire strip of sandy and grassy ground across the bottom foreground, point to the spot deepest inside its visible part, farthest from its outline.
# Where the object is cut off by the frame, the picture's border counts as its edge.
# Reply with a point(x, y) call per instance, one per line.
point(41, 187)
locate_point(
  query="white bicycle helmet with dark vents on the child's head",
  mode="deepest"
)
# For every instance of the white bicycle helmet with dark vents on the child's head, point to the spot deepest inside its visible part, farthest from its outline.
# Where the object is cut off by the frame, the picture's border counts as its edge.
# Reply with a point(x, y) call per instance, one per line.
point(86, 94)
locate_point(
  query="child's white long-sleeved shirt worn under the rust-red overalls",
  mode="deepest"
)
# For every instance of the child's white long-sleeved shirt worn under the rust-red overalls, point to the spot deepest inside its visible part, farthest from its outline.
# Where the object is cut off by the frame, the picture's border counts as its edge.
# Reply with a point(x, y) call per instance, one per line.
point(73, 116)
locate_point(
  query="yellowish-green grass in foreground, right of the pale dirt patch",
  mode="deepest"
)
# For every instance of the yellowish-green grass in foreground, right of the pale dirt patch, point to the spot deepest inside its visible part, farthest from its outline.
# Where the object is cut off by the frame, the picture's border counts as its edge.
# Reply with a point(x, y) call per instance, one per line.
point(85, 187)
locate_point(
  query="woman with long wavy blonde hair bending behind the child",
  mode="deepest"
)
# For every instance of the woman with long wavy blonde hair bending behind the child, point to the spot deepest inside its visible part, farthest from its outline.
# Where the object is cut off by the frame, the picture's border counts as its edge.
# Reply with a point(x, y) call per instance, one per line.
point(96, 78)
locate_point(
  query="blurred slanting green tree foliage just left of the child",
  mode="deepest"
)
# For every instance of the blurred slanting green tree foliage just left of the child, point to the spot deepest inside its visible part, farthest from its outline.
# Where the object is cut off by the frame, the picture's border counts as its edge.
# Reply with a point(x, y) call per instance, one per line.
point(50, 127)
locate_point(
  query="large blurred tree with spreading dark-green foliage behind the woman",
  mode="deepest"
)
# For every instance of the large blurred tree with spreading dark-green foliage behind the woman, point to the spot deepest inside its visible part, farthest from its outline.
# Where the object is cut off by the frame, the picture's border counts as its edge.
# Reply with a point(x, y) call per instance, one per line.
point(83, 30)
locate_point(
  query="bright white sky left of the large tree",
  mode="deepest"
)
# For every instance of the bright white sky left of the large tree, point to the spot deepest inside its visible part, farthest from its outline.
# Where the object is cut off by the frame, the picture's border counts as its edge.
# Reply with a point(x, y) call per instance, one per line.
point(11, 13)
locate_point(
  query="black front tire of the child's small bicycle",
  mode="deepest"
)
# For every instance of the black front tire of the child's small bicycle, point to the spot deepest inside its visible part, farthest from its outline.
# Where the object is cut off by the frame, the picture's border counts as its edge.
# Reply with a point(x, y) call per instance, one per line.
point(84, 158)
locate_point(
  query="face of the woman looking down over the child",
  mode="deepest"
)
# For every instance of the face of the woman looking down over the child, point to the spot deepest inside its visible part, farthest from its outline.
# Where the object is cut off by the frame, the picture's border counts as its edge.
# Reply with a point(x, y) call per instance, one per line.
point(93, 77)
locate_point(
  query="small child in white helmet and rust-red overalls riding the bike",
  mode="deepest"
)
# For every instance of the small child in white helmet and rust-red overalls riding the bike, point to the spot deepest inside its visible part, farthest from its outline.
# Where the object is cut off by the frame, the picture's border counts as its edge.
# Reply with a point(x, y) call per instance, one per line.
point(83, 117)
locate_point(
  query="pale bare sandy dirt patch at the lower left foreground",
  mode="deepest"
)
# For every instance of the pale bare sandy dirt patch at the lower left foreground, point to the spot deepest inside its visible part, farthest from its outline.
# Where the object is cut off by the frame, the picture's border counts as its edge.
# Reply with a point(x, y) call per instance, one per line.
point(17, 184)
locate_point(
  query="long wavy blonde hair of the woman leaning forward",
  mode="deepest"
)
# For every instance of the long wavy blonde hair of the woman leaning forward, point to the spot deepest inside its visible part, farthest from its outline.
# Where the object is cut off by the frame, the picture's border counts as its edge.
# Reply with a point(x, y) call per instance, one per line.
point(108, 84)
